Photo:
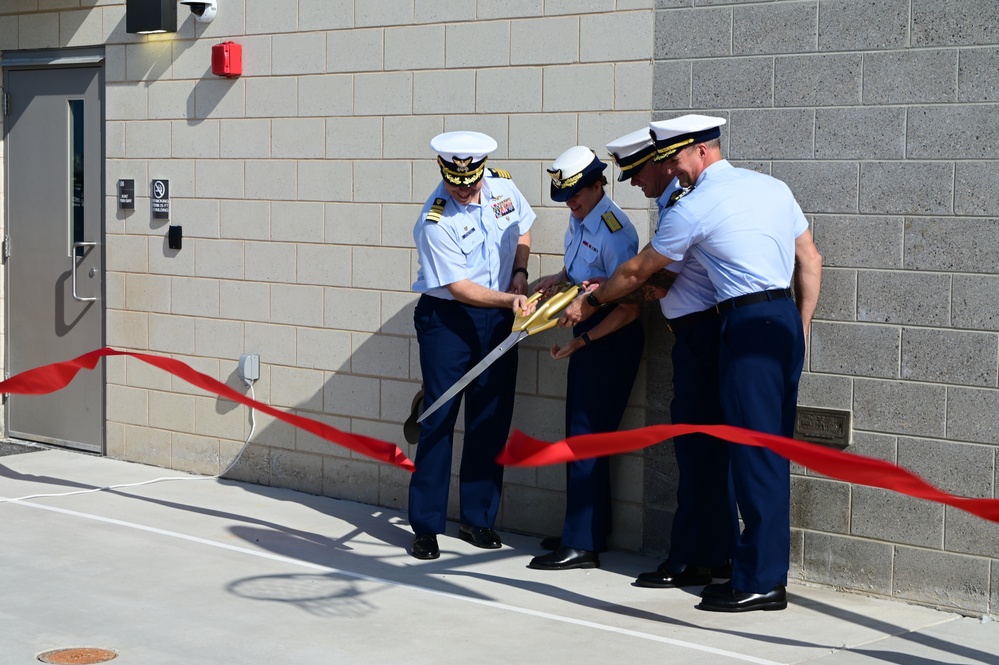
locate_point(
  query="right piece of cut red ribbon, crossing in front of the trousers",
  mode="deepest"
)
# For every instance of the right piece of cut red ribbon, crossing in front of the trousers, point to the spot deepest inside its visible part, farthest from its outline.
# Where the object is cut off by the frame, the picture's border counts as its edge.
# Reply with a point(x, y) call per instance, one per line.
point(522, 450)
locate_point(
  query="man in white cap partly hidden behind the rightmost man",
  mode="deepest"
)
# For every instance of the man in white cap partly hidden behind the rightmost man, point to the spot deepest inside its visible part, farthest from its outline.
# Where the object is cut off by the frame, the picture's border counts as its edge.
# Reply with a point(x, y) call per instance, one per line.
point(705, 526)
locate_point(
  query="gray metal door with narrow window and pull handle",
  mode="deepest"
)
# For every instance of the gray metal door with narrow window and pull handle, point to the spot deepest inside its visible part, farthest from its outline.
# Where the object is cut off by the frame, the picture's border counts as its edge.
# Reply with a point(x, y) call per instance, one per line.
point(54, 156)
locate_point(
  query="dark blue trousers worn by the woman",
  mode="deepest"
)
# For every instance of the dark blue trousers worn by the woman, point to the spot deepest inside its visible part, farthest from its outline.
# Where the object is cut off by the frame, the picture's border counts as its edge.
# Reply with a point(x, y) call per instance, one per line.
point(599, 383)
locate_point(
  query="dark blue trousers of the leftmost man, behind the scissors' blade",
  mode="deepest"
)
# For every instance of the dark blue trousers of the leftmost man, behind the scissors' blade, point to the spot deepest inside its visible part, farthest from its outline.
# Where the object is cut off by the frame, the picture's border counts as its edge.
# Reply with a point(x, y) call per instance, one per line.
point(453, 337)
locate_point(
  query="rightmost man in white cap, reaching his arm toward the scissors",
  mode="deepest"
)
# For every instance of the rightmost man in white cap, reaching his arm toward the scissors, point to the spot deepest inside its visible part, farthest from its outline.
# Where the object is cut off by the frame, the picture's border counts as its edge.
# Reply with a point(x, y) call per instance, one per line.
point(748, 232)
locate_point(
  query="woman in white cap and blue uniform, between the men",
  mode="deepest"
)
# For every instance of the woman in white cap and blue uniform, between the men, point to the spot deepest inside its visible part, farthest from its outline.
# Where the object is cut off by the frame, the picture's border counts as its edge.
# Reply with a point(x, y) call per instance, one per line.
point(603, 355)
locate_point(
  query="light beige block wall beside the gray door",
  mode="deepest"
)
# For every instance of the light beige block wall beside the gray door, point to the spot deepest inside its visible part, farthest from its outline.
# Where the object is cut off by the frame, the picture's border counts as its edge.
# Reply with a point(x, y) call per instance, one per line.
point(297, 186)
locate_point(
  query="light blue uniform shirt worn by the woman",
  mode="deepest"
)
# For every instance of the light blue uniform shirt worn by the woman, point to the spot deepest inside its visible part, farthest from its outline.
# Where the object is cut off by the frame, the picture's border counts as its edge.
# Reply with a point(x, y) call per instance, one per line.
point(593, 248)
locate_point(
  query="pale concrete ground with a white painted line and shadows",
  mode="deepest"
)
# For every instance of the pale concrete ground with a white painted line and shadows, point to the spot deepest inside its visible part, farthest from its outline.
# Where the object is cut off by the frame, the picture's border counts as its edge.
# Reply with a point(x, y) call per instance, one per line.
point(210, 571)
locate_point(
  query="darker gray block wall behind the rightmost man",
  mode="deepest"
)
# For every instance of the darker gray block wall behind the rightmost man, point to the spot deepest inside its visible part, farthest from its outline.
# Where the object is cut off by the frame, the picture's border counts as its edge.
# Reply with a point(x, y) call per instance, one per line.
point(883, 117)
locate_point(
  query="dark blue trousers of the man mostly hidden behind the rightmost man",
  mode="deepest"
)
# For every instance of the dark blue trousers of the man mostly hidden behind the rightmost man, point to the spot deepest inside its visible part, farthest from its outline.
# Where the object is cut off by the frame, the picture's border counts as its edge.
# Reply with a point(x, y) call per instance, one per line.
point(706, 523)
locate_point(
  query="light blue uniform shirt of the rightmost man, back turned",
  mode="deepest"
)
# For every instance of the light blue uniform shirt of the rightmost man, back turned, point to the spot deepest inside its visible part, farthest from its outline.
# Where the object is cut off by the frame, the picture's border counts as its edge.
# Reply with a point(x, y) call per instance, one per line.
point(740, 225)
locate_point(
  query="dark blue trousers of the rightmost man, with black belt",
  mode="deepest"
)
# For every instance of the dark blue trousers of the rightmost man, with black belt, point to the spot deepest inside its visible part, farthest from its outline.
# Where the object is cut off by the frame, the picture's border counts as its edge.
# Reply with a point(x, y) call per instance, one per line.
point(762, 351)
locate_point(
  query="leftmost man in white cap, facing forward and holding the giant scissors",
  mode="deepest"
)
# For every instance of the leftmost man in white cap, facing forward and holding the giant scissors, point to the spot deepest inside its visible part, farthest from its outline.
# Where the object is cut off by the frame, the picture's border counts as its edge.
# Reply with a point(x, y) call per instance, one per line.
point(473, 241)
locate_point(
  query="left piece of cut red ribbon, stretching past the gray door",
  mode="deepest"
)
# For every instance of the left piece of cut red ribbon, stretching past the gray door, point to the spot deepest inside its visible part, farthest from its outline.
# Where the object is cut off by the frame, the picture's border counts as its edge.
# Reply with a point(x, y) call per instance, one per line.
point(50, 378)
